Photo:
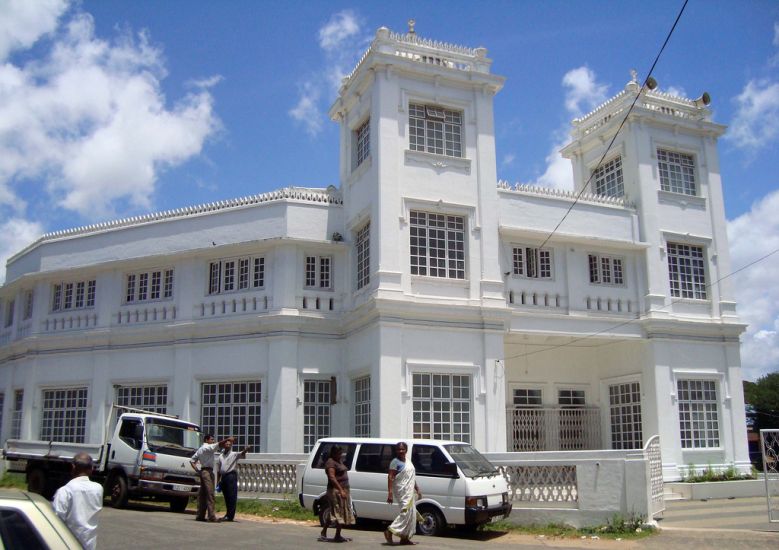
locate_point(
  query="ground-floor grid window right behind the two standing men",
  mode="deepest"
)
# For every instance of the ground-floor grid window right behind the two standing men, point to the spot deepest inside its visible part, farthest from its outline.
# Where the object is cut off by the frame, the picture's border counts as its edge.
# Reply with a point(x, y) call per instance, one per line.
point(233, 408)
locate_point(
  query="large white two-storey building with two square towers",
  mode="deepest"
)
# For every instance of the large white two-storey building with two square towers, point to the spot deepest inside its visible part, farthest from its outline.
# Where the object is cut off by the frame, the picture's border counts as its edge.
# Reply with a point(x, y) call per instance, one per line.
point(421, 298)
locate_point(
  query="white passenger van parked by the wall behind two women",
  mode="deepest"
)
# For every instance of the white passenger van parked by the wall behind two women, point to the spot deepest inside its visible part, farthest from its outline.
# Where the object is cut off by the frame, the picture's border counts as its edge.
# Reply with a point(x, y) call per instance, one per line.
point(459, 486)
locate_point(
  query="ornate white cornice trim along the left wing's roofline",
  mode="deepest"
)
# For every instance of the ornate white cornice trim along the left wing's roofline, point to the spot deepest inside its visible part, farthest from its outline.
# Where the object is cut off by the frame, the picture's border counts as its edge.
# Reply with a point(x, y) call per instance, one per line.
point(303, 194)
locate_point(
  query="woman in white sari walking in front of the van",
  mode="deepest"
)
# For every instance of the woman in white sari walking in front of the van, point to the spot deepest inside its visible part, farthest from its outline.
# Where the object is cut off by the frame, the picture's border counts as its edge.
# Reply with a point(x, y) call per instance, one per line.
point(402, 481)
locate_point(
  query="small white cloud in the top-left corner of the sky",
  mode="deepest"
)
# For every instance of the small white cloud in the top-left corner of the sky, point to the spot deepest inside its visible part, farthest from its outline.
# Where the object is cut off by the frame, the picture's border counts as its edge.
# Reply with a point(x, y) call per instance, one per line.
point(24, 22)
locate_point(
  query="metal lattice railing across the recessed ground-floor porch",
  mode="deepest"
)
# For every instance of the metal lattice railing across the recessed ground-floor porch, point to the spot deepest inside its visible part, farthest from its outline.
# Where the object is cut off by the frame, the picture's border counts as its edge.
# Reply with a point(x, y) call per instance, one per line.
point(553, 428)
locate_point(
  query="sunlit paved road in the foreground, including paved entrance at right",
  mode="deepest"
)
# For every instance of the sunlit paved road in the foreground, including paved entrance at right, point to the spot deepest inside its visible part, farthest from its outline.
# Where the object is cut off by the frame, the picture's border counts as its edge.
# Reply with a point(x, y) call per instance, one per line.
point(732, 525)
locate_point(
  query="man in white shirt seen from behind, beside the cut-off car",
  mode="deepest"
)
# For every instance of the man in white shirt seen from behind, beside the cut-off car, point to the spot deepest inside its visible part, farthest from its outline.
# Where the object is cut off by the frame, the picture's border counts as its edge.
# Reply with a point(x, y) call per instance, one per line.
point(79, 502)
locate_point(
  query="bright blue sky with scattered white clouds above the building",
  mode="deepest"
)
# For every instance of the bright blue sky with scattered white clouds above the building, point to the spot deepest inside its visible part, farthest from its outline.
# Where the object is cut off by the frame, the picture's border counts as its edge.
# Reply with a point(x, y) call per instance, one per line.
point(114, 108)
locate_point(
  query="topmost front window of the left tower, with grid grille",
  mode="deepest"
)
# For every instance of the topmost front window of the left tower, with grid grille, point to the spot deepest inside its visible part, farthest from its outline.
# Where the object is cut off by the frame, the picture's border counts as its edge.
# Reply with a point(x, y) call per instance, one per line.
point(435, 130)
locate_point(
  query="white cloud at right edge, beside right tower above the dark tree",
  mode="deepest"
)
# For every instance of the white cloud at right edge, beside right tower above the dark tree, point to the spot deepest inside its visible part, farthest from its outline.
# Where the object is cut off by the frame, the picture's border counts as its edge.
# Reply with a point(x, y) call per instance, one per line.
point(753, 235)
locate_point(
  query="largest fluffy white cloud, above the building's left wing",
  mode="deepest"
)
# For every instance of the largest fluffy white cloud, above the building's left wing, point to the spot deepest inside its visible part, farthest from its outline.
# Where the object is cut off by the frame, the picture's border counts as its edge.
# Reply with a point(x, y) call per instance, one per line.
point(89, 121)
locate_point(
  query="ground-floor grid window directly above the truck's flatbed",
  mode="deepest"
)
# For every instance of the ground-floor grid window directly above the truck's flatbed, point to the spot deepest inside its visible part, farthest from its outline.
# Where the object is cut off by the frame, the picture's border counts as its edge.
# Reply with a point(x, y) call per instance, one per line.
point(64, 415)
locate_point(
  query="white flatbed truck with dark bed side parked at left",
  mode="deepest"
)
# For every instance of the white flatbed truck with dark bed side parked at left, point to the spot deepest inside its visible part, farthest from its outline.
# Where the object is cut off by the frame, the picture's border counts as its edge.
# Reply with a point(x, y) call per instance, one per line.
point(148, 456)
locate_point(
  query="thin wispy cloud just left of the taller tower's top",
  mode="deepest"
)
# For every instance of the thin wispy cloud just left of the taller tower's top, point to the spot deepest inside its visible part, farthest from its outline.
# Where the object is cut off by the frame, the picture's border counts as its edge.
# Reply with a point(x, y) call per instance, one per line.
point(342, 41)
